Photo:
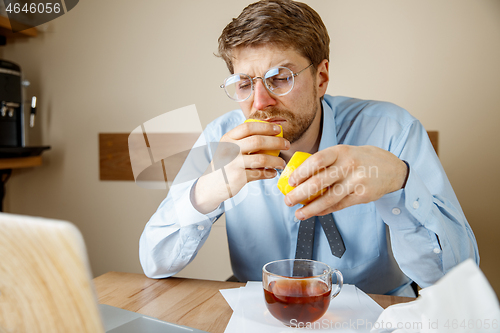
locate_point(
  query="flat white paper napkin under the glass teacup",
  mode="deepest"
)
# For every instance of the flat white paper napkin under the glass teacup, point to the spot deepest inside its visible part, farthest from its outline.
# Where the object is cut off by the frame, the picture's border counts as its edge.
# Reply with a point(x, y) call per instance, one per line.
point(351, 311)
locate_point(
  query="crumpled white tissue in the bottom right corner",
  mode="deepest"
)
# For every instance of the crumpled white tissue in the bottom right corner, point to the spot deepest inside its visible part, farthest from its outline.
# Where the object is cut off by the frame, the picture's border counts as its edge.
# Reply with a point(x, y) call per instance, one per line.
point(462, 301)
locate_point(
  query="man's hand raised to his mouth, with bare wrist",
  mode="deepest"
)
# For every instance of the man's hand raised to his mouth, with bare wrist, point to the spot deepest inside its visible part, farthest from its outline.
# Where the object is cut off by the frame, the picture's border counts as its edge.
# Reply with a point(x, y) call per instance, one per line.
point(253, 138)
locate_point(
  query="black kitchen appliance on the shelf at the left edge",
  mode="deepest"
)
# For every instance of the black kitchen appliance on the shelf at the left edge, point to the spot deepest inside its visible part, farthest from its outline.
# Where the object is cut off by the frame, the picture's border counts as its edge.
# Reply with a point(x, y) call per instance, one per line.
point(17, 117)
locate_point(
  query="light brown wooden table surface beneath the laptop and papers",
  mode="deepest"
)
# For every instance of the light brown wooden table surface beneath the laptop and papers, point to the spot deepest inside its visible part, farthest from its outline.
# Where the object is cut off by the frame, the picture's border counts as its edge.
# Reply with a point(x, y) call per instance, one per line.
point(190, 302)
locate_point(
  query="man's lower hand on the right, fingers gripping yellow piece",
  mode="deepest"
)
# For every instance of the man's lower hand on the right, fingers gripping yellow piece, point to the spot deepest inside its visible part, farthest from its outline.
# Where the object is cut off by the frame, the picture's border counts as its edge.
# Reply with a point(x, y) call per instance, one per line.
point(352, 175)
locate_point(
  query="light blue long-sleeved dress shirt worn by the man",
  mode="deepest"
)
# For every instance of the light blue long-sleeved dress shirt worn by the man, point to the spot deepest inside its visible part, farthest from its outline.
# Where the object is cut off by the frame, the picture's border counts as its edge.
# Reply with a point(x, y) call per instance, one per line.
point(414, 234)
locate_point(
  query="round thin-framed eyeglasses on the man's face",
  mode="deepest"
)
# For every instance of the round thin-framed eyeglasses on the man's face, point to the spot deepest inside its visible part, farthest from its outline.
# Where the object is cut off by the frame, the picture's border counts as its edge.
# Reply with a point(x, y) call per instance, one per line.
point(278, 81)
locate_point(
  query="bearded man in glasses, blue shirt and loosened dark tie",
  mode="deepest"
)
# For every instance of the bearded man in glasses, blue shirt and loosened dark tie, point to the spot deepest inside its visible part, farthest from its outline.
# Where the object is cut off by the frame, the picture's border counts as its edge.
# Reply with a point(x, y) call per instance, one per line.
point(389, 212)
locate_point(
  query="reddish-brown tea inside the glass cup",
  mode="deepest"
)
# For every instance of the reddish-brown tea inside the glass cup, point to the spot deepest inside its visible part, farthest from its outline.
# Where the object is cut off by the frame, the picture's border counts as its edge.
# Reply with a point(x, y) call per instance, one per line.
point(297, 299)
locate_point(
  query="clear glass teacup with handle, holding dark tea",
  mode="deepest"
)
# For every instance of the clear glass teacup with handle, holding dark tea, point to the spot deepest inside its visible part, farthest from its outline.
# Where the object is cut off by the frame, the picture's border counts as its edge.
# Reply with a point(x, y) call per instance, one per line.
point(299, 290)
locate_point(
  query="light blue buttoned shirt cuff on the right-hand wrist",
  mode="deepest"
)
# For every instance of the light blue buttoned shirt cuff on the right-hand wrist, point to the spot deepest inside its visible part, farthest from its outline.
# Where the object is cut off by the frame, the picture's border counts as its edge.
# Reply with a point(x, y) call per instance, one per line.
point(407, 208)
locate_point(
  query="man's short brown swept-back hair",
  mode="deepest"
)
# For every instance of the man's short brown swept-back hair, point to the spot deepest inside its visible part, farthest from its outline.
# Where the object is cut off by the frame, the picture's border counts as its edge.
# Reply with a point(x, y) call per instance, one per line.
point(282, 23)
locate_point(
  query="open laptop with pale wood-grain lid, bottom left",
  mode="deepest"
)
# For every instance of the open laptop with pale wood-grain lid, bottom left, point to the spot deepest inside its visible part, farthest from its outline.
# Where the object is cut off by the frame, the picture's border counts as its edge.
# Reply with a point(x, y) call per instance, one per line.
point(46, 284)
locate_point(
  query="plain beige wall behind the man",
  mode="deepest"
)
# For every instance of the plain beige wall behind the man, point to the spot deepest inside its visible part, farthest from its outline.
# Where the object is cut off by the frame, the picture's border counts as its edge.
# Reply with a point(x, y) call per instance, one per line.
point(108, 66)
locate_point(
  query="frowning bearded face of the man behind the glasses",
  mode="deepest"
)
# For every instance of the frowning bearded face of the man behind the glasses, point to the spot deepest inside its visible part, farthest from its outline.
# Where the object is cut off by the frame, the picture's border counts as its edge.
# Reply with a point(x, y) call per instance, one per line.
point(295, 111)
